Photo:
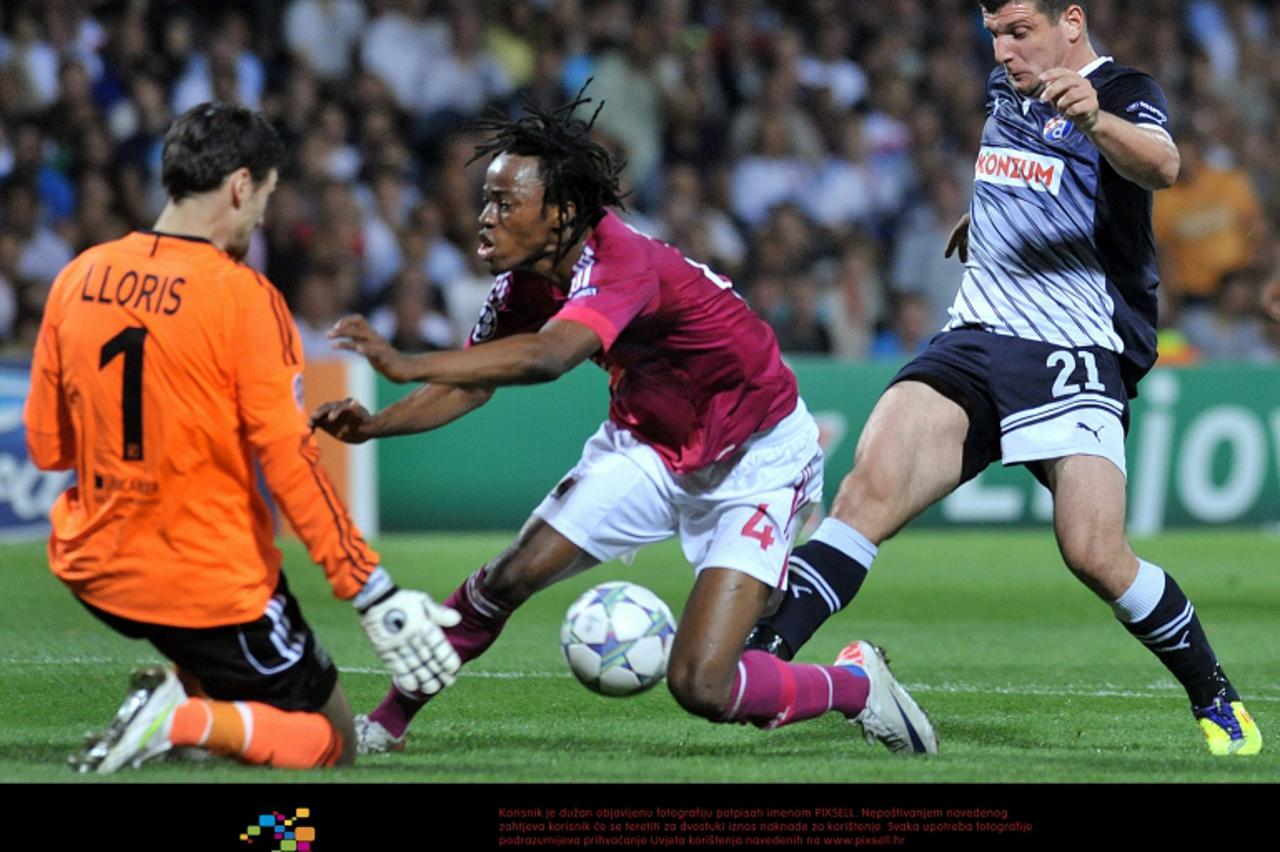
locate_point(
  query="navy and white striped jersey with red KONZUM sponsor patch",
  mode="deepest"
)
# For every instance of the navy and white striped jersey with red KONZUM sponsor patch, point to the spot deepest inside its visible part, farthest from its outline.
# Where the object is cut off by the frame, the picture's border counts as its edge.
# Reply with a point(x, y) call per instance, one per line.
point(1060, 245)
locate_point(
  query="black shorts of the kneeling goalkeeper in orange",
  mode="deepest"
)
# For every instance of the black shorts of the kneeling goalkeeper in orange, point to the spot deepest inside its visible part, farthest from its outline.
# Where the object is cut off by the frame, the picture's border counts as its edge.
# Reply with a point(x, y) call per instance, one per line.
point(276, 659)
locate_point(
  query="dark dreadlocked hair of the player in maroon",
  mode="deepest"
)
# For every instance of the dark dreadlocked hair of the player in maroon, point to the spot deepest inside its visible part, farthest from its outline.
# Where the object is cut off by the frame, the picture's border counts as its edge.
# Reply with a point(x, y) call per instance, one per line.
point(575, 170)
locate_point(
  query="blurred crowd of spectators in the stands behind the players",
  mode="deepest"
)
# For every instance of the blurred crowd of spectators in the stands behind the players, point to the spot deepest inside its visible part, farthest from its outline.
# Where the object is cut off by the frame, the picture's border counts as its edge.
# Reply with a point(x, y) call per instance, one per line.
point(817, 152)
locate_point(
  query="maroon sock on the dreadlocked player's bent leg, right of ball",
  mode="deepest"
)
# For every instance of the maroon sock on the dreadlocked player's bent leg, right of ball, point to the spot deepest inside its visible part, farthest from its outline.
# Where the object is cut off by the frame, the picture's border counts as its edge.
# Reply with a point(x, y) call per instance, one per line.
point(770, 693)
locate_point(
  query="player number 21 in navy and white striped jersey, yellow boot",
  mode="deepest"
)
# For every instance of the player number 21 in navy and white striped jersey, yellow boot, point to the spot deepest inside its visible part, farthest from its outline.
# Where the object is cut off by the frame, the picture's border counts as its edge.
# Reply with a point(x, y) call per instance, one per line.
point(1053, 328)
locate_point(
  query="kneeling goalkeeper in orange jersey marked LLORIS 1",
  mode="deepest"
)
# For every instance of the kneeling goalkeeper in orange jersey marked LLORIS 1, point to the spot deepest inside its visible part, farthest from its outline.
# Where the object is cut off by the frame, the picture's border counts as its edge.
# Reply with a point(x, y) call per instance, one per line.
point(163, 368)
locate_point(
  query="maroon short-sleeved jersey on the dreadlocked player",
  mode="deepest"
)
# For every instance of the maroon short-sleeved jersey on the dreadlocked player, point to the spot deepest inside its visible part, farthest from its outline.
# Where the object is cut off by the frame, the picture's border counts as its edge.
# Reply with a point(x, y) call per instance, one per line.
point(693, 372)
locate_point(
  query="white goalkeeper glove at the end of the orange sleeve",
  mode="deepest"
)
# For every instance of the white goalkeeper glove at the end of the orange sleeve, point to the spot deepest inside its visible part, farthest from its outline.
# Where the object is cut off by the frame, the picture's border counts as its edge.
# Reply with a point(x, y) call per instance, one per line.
point(405, 630)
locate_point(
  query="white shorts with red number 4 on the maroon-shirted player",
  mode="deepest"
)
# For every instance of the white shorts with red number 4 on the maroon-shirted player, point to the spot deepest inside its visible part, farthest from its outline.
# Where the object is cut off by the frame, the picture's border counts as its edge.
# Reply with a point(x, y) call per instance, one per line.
point(742, 514)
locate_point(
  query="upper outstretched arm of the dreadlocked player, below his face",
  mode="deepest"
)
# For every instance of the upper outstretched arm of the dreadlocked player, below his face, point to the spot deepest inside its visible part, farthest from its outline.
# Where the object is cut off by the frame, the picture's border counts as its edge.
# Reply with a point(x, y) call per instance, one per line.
point(518, 360)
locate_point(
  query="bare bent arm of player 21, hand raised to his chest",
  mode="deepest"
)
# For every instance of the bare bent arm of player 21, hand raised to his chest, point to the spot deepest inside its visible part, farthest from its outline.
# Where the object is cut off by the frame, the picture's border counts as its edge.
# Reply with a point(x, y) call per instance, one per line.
point(1146, 158)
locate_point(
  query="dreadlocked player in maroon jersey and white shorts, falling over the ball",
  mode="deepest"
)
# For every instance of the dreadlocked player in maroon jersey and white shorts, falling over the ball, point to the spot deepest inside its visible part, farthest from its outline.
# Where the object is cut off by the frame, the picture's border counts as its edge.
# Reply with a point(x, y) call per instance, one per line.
point(707, 437)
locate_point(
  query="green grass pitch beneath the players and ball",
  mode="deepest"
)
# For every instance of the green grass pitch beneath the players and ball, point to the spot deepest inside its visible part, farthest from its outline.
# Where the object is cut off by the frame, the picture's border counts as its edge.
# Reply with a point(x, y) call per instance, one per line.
point(1026, 676)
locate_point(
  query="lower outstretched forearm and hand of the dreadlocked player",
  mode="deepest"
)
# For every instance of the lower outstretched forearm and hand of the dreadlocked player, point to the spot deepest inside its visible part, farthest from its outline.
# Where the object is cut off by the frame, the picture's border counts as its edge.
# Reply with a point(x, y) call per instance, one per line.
point(427, 409)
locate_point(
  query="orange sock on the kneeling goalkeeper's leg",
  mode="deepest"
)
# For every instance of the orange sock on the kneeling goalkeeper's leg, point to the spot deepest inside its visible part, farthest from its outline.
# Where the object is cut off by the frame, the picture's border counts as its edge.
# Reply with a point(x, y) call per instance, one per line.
point(257, 734)
